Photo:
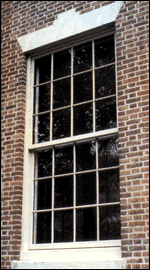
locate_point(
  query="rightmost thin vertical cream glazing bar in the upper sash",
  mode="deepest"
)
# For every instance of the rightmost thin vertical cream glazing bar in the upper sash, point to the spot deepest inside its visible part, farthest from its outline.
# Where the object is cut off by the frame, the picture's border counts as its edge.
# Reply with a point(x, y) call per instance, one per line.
point(93, 84)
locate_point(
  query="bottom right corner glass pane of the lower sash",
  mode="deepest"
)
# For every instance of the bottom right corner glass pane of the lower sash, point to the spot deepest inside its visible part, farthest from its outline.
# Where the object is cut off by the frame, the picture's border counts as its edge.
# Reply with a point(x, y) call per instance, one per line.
point(110, 222)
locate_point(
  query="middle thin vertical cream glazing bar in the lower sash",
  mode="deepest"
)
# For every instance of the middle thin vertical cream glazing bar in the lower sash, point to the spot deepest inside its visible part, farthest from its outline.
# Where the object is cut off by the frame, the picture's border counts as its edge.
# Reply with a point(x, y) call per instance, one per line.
point(74, 190)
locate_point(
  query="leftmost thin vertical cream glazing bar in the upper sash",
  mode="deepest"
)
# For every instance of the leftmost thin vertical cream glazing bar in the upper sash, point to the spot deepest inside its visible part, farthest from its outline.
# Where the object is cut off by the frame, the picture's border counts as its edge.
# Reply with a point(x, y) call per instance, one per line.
point(51, 99)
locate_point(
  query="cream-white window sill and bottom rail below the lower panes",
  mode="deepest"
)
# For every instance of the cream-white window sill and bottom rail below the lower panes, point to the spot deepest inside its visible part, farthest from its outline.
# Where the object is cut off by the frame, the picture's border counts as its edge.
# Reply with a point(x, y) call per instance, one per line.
point(82, 255)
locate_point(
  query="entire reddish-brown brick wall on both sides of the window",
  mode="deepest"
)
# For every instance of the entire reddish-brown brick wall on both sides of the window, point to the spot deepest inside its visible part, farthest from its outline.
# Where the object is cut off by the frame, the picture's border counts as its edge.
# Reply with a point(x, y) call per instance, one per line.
point(22, 17)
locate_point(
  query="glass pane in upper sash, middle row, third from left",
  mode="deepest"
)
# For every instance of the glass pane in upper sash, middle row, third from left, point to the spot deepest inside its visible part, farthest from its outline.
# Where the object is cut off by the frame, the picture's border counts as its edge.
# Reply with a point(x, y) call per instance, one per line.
point(83, 87)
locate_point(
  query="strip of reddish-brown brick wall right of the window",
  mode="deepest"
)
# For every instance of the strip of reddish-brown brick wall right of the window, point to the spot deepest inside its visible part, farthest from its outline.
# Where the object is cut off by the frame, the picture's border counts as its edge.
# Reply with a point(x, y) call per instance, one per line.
point(133, 100)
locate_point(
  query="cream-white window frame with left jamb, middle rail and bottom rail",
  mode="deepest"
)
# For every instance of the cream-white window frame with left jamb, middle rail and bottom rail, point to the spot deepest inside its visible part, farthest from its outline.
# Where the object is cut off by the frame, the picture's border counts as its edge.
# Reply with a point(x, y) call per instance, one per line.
point(47, 252)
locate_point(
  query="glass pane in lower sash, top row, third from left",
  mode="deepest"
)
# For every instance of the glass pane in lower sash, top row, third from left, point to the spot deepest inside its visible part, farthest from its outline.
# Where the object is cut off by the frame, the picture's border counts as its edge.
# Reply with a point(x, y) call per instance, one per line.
point(85, 156)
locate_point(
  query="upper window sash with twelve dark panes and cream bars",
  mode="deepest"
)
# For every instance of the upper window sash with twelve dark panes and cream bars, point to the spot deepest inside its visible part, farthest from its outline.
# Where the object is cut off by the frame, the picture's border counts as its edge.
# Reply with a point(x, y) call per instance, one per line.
point(74, 104)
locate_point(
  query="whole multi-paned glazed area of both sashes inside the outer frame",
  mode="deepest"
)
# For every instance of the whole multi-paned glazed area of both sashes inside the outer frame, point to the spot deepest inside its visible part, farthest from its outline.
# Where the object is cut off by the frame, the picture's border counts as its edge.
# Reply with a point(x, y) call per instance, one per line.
point(76, 162)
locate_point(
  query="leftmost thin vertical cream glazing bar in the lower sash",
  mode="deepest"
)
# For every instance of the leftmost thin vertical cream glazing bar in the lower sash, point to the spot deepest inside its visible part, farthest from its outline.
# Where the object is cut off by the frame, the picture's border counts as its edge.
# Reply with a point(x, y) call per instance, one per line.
point(53, 171)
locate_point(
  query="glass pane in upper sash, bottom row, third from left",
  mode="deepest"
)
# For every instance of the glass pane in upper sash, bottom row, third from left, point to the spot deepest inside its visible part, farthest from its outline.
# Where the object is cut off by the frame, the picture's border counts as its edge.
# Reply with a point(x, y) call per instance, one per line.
point(83, 119)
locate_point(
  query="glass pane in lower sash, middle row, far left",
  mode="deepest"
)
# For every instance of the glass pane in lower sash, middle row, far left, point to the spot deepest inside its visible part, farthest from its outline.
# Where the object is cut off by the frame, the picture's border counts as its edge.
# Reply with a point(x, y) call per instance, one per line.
point(44, 194)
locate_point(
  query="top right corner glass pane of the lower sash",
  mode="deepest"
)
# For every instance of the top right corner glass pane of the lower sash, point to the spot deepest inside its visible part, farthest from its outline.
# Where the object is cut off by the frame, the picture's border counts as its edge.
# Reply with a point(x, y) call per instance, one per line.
point(108, 153)
